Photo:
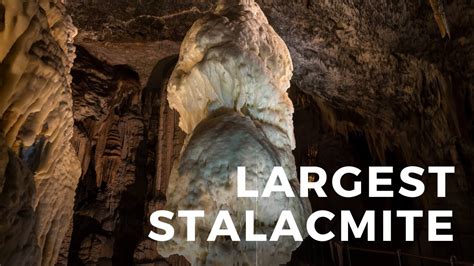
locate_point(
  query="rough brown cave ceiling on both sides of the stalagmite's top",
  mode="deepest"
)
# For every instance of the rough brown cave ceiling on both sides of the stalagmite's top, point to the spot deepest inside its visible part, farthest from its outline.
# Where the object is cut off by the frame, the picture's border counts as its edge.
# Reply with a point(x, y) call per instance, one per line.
point(367, 64)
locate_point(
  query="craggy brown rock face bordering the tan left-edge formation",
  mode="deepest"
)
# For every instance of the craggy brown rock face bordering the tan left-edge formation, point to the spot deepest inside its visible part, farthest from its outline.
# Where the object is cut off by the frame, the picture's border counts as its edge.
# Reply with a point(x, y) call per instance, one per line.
point(109, 139)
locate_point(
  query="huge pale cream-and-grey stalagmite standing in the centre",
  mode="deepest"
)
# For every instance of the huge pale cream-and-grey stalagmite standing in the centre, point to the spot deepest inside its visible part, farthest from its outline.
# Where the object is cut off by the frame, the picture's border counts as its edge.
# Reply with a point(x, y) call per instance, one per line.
point(229, 87)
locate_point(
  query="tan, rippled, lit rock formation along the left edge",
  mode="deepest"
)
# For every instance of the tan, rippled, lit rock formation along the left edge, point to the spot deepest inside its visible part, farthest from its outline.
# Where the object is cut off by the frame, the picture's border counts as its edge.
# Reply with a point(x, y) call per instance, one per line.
point(36, 56)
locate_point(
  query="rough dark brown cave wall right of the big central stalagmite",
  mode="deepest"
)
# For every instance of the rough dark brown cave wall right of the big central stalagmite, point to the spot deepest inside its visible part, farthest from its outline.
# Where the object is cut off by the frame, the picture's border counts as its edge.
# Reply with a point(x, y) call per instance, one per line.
point(378, 76)
